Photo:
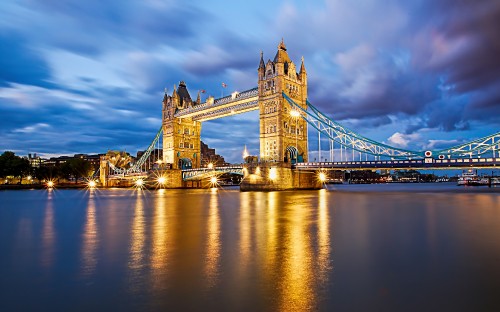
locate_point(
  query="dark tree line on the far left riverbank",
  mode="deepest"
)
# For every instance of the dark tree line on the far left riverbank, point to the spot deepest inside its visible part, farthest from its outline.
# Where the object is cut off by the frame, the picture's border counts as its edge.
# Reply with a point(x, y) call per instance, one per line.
point(18, 167)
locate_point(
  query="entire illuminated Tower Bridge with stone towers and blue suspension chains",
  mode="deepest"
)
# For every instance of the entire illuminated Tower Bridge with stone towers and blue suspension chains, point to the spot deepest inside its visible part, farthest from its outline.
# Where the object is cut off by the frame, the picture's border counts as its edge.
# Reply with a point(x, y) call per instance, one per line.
point(285, 116)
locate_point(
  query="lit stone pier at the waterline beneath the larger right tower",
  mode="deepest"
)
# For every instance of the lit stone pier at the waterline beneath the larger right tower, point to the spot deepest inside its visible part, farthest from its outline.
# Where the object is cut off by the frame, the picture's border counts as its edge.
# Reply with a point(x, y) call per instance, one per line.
point(277, 177)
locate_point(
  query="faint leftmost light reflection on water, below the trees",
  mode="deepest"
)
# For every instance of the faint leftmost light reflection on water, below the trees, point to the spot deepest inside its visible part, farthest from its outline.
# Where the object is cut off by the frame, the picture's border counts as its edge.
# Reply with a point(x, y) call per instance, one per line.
point(48, 233)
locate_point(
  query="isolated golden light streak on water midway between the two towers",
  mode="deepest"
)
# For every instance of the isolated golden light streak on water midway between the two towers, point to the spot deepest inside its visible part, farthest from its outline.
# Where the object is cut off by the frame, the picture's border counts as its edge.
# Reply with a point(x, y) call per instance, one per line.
point(213, 241)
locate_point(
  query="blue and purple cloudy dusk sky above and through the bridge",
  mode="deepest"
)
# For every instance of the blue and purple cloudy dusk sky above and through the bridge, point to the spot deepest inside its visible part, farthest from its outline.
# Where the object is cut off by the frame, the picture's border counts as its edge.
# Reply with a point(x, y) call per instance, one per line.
point(87, 76)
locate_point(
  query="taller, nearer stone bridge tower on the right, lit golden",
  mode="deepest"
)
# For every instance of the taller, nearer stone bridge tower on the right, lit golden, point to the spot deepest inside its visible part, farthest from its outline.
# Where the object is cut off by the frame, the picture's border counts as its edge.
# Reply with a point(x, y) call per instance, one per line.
point(283, 134)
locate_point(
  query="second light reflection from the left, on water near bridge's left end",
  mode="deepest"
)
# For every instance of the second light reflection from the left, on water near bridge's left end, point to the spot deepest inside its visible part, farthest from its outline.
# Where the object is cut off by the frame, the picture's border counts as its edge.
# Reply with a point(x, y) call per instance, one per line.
point(90, 238)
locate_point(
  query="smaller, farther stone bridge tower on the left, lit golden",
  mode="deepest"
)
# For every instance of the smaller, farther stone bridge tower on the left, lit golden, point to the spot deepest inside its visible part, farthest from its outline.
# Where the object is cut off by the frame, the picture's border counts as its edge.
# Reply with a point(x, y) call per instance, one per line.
point(181, 136)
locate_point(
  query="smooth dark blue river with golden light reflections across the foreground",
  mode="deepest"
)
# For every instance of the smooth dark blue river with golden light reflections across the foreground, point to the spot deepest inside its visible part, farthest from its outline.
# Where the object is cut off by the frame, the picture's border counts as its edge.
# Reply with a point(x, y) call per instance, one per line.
point(418, 247)
